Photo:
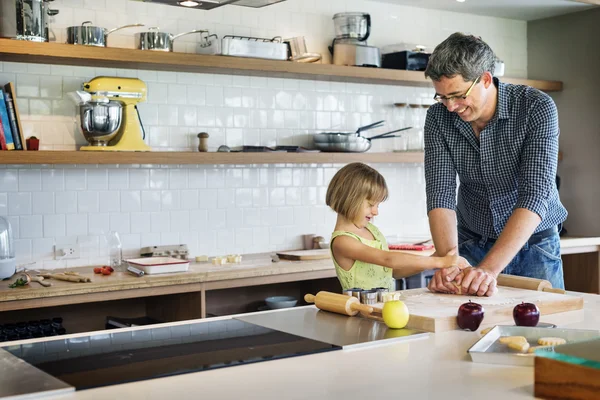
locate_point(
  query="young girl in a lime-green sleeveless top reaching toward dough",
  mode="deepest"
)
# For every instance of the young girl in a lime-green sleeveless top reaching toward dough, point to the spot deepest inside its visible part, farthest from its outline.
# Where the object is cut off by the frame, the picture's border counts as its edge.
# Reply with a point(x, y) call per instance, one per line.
point(359, 250)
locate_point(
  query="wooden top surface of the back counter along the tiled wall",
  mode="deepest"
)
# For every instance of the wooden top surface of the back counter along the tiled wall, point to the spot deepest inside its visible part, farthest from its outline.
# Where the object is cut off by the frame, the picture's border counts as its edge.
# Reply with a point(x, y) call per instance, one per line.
point(252, 266)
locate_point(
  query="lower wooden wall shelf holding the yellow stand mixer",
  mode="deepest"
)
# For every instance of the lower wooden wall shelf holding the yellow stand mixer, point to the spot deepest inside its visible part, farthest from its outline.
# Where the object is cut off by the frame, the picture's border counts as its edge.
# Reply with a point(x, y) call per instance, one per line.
point(175, 157)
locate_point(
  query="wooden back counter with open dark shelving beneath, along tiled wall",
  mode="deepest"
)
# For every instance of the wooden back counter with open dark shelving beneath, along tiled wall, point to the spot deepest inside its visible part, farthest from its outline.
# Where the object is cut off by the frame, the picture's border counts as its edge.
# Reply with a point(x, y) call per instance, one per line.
point(209, 290)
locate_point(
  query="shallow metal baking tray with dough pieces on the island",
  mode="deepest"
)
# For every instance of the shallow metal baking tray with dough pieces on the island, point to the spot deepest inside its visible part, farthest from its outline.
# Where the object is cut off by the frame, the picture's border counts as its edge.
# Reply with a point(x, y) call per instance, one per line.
point(489, 351)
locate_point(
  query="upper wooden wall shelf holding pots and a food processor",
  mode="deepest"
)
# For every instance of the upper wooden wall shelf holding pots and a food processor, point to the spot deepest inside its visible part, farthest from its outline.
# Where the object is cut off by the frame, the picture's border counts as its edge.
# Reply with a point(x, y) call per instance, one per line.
point(57, 53)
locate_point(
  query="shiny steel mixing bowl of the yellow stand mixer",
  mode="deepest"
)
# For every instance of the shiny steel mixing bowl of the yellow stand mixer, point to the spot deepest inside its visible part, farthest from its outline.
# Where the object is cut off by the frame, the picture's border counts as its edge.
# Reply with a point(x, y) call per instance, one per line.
point(100, 121)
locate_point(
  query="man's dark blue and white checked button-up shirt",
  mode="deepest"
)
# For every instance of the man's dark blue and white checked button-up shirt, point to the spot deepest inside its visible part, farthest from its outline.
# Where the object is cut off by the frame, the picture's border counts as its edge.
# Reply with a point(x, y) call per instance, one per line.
point(512, 165)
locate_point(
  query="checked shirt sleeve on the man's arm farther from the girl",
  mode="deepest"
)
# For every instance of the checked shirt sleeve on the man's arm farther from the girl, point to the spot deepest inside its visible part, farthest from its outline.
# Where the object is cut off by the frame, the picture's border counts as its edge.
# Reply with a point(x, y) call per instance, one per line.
point(539, 158)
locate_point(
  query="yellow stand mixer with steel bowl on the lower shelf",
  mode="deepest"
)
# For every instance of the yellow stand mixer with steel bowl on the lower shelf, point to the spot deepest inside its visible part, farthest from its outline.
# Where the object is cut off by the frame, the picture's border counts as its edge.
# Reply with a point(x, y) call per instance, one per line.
point(104, 123)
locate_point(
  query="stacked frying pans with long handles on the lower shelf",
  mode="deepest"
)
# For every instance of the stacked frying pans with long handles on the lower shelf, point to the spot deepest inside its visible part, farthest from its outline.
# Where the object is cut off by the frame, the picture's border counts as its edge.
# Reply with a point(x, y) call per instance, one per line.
point(349, 142)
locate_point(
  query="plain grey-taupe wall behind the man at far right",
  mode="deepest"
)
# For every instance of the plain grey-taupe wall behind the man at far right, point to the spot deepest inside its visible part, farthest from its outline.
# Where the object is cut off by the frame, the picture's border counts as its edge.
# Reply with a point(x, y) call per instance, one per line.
point(566, 48)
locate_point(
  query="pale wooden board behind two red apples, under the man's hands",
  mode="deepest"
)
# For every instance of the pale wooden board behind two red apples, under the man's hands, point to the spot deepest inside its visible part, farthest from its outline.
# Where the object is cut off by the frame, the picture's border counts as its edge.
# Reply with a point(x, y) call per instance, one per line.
point(436, 312)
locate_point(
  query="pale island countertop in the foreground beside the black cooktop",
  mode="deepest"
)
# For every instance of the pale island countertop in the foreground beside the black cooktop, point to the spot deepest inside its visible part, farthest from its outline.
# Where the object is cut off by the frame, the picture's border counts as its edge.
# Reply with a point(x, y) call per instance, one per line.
point(437, 366)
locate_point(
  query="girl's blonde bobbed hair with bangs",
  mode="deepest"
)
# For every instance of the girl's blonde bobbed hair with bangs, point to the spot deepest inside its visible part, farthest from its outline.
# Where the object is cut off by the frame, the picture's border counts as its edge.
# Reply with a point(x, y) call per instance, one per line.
point(351, 186)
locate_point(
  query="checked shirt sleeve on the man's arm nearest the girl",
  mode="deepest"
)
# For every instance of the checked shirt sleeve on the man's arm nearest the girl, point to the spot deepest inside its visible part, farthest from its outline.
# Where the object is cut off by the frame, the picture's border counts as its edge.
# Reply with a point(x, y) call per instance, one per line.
point(440, 172)
